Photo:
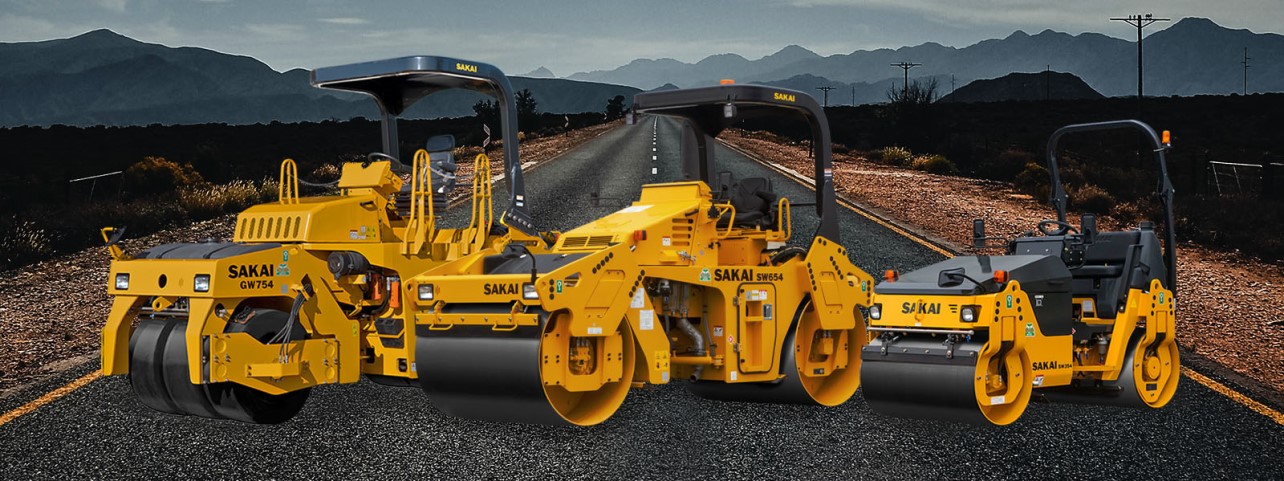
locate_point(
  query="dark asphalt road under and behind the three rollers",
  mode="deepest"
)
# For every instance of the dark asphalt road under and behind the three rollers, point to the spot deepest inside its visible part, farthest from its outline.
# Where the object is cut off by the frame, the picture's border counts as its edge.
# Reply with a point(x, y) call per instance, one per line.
point(367, 430)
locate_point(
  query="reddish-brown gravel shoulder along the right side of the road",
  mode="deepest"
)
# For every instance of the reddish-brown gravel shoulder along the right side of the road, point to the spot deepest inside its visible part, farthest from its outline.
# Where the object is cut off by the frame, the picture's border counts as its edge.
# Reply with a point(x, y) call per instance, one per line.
point(1231, 305)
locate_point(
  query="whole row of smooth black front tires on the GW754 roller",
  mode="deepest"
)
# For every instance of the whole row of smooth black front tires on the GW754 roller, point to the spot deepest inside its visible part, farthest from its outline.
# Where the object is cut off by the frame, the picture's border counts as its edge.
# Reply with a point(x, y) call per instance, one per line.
point(159, 374)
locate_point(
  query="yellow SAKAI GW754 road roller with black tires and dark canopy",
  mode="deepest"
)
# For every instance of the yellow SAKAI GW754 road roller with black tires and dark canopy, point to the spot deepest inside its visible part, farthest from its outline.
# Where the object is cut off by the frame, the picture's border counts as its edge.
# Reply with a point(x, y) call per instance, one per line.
point(309, 291)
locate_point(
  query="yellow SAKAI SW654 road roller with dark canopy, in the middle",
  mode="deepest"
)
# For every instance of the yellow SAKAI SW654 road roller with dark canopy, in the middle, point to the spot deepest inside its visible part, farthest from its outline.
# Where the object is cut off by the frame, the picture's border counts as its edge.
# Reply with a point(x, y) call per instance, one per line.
point(695, 280)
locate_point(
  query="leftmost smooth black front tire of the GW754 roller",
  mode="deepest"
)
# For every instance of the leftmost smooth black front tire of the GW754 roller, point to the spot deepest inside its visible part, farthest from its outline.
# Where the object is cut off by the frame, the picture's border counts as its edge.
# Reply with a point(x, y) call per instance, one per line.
point(147, 367)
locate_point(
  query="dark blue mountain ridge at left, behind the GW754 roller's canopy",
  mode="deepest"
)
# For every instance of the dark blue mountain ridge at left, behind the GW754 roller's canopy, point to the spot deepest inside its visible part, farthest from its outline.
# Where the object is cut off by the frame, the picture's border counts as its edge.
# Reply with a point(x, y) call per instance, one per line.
point(107, 79)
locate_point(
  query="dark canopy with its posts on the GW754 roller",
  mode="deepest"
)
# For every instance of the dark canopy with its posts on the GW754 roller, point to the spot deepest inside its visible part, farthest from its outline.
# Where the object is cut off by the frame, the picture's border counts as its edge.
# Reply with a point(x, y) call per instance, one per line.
point(399, 84)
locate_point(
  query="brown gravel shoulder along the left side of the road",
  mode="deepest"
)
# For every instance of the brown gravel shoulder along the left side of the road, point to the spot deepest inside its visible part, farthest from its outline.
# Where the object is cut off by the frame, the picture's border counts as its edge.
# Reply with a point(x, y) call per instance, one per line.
point(55, 311)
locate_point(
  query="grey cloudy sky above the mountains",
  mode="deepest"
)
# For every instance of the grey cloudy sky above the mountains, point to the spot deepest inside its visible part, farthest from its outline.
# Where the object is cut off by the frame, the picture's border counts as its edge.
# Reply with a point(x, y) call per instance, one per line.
point(572, 37)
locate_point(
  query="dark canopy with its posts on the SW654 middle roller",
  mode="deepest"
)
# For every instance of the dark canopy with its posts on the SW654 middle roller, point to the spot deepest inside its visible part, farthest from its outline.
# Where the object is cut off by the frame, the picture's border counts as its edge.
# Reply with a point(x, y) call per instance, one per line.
point(709, 111)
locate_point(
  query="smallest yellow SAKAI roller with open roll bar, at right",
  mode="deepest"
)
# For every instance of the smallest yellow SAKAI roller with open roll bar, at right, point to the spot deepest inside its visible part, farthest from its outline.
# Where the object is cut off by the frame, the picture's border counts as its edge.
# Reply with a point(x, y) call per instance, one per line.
point(1075, 314)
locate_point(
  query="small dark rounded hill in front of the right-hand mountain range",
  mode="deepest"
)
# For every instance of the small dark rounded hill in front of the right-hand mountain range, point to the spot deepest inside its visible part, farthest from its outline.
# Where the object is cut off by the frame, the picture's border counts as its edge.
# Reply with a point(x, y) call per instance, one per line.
point(1025, 87)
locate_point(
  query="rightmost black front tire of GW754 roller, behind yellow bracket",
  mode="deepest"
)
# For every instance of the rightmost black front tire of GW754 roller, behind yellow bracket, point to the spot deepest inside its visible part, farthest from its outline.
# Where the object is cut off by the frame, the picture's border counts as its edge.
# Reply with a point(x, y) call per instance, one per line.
point(247, 405)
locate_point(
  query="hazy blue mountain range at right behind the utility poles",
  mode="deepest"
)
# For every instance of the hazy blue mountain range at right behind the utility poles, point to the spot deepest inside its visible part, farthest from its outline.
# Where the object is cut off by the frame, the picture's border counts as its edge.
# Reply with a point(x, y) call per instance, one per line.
point(1192, 57)
